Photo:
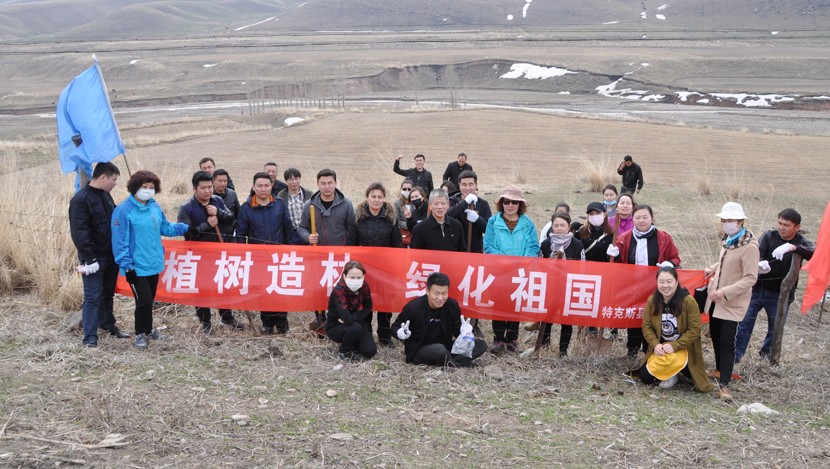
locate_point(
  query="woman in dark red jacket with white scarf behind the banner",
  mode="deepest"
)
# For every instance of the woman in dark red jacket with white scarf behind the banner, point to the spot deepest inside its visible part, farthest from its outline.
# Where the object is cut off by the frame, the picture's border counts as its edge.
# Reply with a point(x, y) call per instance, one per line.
point(644, 245)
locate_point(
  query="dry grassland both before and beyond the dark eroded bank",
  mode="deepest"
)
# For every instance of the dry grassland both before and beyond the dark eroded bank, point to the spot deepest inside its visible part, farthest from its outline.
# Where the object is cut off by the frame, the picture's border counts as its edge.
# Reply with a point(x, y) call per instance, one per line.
point(174, 405)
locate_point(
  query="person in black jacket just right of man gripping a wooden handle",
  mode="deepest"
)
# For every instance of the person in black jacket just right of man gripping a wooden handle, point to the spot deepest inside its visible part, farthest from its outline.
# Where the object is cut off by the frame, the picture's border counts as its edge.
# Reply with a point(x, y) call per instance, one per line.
point(376, 225)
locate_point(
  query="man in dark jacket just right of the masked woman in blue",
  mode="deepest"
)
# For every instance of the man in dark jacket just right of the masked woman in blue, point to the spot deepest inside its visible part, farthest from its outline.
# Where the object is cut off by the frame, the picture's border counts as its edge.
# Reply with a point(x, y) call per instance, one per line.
point(205, 213)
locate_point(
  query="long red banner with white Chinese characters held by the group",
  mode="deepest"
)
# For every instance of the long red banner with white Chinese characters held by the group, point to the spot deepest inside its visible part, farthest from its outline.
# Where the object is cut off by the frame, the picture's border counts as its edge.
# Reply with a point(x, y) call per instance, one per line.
point(300, 278)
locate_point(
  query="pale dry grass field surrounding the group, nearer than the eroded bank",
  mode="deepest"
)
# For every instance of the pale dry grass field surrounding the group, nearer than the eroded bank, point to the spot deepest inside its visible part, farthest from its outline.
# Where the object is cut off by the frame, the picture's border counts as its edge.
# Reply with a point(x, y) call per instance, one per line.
point(175, 404)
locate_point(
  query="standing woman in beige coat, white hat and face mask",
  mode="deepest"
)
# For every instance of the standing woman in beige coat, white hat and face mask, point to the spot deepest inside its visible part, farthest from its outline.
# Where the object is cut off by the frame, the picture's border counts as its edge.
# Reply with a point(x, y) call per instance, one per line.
point(730, 291)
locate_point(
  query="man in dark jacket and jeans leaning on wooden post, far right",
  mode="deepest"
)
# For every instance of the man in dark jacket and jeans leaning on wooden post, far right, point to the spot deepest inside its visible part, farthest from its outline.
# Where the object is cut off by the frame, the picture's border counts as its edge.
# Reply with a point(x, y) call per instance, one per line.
point(776, 249)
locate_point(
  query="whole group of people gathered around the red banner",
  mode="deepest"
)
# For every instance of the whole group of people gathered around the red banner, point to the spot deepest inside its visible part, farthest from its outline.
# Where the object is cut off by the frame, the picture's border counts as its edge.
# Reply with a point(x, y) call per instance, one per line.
point(127, 237)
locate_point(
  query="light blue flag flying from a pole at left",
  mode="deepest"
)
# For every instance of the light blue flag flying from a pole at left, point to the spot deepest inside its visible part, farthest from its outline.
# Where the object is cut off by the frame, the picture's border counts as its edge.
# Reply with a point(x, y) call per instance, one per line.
point(87, 132)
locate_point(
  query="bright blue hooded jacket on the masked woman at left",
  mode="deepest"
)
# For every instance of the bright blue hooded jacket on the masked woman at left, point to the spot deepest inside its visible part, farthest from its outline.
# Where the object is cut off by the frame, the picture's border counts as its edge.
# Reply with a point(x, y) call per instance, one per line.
point(136, 236)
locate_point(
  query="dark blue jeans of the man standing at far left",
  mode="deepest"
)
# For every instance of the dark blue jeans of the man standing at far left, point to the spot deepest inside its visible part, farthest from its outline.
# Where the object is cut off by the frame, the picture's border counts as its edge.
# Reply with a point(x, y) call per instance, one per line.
point(99, 289)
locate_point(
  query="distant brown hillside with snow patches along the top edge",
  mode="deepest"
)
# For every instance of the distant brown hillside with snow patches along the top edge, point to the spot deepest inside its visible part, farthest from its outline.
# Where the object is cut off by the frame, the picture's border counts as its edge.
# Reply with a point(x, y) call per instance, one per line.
point(132, 19)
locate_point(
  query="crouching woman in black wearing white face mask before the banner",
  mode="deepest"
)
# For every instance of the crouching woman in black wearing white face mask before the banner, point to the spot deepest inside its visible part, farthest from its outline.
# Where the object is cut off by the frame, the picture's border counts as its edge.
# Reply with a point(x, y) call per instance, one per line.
point(349, 320)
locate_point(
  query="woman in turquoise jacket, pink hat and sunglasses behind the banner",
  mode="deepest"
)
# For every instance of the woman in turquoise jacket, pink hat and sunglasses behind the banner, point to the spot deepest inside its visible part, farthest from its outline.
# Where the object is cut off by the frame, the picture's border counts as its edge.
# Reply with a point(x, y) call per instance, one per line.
point(510, 232)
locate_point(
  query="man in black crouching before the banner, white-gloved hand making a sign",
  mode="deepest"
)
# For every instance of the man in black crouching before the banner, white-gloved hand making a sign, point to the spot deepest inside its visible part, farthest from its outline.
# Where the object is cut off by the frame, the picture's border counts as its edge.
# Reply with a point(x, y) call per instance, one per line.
point(429, 325)
